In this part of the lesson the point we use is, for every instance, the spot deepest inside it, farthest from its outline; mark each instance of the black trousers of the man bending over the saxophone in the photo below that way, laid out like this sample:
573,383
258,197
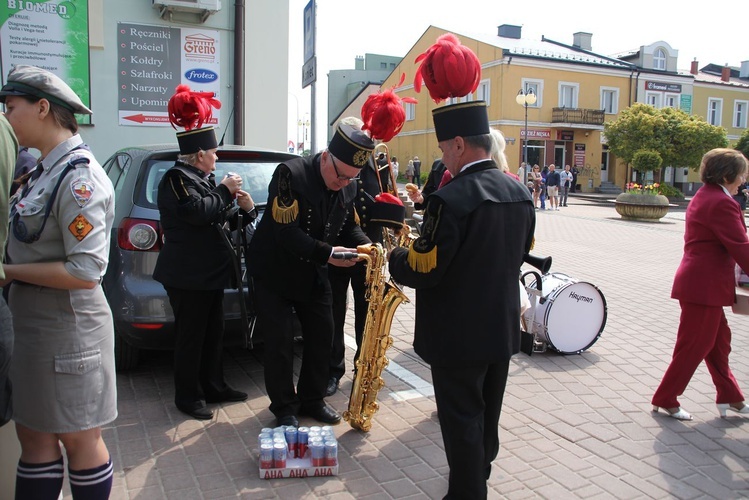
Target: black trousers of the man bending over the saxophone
275,319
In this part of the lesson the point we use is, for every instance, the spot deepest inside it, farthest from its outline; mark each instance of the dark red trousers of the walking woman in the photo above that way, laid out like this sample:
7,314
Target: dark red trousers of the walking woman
703,335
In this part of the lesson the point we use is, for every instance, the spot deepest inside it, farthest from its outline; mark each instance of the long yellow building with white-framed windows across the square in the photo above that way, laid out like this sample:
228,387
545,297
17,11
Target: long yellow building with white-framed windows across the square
577,91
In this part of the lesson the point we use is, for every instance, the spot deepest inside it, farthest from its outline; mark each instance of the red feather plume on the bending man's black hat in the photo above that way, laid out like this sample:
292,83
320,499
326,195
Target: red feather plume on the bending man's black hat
383,113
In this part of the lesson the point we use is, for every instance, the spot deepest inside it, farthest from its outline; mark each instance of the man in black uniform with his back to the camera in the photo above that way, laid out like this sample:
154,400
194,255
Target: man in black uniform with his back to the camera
465,269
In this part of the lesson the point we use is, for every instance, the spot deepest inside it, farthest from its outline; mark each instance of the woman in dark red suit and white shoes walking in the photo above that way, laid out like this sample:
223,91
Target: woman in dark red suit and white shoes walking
714,241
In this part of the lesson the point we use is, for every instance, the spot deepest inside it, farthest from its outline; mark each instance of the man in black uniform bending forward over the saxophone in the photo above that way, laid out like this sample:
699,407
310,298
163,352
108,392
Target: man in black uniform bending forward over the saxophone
309,202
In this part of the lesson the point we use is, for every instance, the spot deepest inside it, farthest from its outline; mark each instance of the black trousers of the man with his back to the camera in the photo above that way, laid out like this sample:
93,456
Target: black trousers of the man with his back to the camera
469,402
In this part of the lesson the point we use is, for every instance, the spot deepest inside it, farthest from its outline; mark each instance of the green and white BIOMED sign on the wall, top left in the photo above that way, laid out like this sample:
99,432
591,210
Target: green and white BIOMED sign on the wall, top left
51,35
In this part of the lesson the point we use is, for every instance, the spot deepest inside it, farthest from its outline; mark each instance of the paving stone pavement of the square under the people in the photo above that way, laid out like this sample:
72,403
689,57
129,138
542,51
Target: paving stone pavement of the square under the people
572,426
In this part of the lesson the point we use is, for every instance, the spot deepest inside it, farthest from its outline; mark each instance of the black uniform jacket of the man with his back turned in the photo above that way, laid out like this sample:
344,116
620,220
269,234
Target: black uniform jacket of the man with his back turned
465,268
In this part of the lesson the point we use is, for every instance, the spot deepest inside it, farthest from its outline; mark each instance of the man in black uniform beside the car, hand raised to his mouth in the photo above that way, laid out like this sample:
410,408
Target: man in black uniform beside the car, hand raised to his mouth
195,266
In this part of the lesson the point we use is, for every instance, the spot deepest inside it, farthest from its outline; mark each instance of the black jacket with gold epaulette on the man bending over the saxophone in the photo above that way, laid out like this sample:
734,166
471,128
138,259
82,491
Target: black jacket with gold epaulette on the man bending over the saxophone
294,239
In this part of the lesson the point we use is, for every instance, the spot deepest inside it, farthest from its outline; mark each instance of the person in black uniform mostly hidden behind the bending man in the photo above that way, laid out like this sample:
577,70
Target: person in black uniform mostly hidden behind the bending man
364,202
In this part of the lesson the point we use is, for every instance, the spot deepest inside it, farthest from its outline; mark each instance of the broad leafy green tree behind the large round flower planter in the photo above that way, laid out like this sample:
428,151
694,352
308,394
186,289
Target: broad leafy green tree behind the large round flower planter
679,138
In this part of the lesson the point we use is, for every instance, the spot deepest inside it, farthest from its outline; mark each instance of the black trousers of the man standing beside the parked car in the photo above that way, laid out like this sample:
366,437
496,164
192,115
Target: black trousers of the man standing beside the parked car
198,350
